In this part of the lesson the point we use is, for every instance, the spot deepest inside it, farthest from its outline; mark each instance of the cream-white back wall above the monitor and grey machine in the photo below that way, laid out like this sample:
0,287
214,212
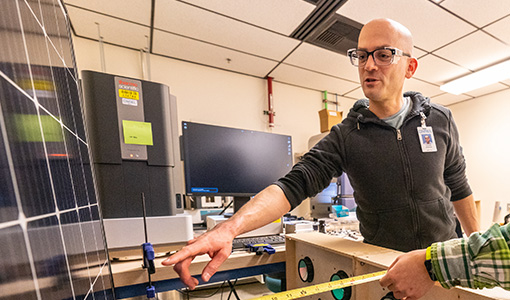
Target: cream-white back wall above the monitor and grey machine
212,96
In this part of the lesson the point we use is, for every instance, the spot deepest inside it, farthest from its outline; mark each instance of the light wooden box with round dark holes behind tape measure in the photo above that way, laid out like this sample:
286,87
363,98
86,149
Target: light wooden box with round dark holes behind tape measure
313,258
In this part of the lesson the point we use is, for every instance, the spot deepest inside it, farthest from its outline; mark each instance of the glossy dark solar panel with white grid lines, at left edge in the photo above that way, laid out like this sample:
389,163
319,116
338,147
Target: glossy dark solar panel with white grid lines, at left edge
51,242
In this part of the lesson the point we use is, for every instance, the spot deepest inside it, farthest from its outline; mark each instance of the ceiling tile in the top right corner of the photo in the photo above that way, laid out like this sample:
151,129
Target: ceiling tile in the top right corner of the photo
480,13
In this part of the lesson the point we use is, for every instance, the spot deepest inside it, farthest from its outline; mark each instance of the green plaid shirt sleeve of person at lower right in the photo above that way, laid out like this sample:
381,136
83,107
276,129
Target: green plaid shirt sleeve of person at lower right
480,261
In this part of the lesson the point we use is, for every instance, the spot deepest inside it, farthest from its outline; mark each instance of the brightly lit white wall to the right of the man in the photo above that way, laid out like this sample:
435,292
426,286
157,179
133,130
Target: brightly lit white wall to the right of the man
485,136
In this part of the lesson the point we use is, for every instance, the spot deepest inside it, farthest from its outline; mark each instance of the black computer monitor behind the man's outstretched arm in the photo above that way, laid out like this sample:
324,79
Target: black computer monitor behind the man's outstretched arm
224,161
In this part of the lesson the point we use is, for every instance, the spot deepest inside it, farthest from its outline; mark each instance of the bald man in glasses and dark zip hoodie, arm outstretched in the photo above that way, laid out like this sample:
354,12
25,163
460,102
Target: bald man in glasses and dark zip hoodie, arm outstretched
406,194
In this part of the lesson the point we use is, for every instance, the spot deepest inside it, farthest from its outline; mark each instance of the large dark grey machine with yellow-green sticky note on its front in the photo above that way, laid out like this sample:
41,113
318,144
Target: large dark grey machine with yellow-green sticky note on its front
132,127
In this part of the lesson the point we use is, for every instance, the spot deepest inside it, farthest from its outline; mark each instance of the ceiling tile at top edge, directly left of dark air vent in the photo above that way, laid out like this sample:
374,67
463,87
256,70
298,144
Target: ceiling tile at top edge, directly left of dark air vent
264,13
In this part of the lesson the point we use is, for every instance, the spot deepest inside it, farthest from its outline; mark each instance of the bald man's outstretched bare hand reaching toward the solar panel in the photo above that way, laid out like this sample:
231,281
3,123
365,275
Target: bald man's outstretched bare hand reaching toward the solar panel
217,243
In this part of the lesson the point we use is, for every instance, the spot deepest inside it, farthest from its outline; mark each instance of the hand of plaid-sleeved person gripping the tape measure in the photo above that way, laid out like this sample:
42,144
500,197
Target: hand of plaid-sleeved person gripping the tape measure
407,276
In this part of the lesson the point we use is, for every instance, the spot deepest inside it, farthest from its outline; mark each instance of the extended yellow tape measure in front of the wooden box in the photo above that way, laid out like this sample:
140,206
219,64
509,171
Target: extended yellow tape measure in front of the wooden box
323,287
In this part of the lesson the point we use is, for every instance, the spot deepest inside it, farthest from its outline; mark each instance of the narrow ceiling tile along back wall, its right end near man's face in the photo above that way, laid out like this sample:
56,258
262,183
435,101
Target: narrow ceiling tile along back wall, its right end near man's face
292,75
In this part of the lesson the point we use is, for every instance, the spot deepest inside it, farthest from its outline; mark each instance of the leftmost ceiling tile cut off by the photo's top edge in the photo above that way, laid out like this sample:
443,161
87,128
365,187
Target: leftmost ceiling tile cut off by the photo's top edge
138,11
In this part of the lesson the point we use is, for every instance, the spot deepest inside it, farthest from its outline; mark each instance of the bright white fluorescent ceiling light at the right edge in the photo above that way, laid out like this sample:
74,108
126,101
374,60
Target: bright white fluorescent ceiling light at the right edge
478,79
